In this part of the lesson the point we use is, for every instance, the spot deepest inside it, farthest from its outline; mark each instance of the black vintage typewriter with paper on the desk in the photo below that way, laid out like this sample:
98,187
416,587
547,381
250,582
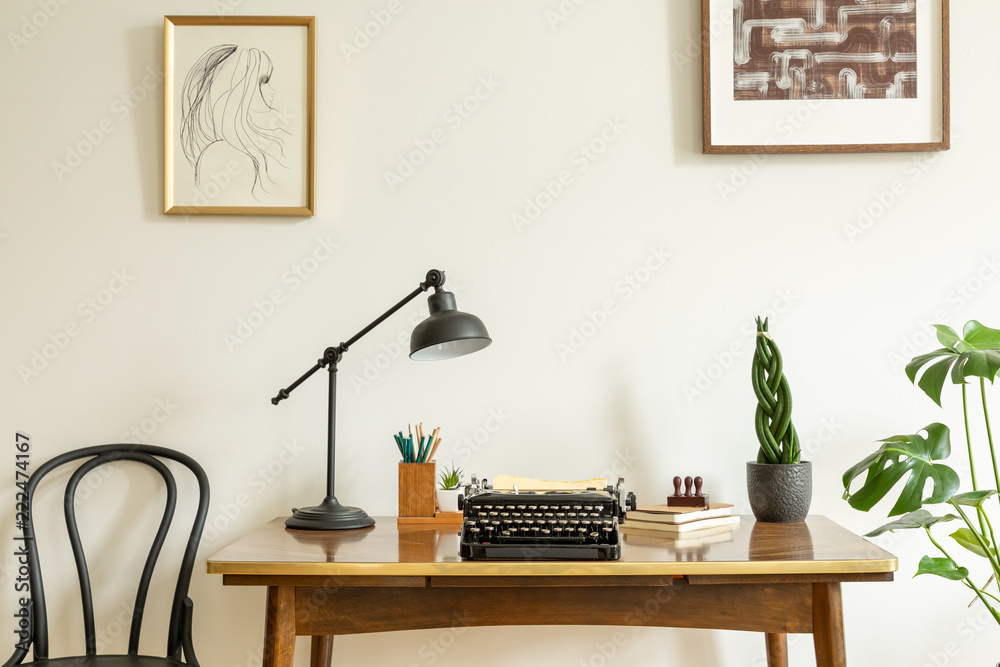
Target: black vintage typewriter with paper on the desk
542,525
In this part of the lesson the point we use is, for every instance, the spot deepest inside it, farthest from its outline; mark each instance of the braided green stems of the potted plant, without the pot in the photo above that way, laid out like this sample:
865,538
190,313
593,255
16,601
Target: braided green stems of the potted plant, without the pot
779,443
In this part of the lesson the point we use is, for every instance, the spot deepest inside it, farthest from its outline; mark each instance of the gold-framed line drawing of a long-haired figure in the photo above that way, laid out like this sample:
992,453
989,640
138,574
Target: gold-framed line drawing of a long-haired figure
239,103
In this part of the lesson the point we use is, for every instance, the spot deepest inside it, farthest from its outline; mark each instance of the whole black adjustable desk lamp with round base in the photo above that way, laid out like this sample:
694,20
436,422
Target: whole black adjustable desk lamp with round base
445,334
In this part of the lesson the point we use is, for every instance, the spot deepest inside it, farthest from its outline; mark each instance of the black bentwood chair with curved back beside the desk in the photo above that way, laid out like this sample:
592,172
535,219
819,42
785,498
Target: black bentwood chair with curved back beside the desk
36,634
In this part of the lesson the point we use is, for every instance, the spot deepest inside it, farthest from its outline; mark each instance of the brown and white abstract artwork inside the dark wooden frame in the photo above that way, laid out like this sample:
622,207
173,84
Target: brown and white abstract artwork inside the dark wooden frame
824,49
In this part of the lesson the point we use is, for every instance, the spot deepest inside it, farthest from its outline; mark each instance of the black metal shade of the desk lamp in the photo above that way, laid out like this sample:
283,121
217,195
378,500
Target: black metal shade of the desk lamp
448,332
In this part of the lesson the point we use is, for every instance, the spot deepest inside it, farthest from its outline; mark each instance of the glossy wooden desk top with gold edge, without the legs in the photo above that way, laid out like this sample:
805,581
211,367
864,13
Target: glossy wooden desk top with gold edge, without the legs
817,545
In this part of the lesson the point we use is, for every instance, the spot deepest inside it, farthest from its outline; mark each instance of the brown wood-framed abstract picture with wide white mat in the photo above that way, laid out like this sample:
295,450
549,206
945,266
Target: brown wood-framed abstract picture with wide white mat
828,103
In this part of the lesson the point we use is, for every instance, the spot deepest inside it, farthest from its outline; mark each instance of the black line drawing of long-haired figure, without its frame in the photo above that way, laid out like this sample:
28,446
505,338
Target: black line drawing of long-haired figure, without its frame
225,97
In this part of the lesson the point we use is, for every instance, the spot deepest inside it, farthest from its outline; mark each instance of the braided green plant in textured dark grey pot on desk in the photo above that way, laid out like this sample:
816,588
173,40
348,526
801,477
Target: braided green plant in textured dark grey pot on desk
779,483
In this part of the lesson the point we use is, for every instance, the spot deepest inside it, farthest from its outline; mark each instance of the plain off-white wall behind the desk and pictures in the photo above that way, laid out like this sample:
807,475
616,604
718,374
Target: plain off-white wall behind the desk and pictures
845,305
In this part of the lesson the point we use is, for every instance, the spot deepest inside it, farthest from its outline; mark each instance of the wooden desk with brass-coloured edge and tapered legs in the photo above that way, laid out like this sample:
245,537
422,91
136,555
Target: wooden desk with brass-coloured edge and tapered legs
770,578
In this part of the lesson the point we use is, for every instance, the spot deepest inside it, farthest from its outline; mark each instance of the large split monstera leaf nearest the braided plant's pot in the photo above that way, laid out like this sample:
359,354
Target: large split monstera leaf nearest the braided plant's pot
905,456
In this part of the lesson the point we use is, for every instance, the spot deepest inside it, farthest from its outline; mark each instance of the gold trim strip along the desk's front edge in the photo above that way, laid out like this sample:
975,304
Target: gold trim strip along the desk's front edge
552,568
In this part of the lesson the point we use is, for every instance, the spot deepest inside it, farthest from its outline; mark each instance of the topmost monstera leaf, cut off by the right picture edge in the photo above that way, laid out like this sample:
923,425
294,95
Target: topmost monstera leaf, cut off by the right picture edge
975,354
